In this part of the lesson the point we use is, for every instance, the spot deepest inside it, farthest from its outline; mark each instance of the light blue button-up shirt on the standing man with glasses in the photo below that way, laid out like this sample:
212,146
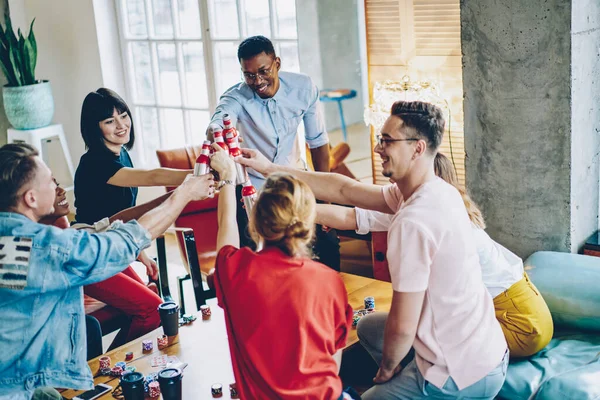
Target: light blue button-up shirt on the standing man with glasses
271,125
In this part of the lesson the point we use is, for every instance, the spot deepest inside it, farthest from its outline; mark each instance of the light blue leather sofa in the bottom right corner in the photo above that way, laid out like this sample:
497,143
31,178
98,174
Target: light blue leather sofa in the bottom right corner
569,367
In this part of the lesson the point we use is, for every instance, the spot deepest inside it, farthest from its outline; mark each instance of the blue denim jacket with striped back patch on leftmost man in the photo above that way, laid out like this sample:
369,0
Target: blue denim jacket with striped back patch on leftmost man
42,326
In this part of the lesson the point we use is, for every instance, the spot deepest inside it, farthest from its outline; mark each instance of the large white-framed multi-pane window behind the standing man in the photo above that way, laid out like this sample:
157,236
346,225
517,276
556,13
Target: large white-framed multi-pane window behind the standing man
181,55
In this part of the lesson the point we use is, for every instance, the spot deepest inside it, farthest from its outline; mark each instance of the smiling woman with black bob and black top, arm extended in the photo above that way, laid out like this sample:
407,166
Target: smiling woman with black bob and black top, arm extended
106,181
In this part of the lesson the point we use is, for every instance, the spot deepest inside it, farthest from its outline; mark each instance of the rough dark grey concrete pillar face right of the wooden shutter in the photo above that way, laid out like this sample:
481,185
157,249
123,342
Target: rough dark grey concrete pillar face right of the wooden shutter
517,104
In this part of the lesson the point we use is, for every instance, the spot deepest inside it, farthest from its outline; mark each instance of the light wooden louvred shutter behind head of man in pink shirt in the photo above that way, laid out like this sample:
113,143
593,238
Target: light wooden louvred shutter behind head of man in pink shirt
419,38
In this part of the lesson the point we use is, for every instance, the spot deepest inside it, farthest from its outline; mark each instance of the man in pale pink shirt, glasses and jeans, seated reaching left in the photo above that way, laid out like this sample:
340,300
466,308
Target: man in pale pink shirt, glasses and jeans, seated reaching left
440,304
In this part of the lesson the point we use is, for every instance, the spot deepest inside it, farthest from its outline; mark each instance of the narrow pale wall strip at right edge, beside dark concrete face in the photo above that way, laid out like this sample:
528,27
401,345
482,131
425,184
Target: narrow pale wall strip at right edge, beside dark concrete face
585,117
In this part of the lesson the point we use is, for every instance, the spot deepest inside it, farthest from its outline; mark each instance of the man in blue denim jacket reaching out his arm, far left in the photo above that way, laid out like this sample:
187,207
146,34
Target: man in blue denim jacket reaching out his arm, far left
43,270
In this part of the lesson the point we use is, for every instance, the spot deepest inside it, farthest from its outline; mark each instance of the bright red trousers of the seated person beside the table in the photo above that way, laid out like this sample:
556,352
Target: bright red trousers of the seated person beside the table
127,293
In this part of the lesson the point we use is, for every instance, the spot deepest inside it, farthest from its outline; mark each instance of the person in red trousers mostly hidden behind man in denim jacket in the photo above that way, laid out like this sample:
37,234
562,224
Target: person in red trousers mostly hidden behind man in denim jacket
125,291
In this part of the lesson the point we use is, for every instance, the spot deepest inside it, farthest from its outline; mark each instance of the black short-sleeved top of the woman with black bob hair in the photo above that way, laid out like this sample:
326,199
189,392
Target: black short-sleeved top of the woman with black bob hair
94,198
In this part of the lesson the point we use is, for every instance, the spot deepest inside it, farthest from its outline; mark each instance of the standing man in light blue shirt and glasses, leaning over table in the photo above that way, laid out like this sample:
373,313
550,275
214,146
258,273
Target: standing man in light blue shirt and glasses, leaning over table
267,108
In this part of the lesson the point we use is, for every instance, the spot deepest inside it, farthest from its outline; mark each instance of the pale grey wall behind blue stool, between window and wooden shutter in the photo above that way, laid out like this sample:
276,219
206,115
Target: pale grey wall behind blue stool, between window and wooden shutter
329,46
